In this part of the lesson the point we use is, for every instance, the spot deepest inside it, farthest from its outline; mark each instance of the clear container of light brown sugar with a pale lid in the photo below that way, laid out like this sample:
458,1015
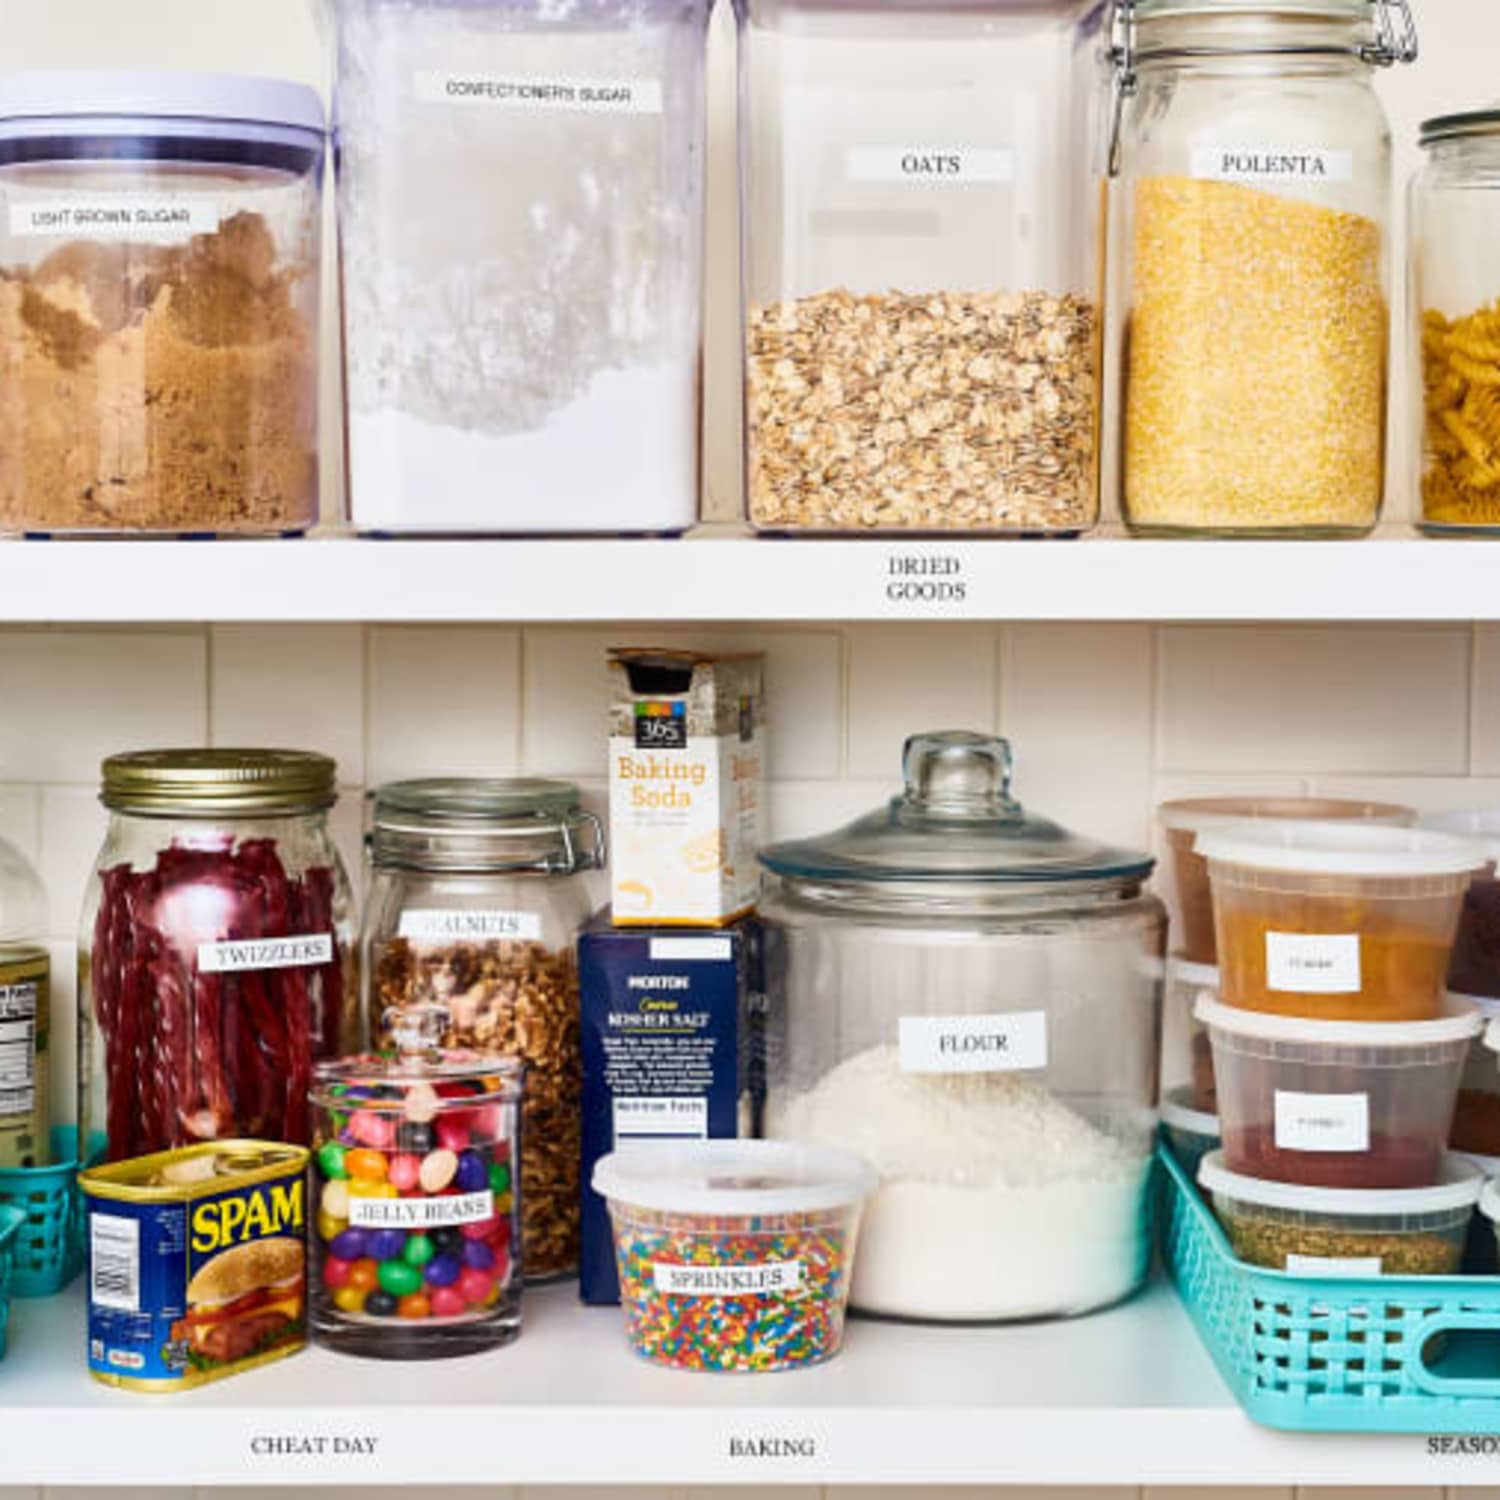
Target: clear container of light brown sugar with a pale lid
160,241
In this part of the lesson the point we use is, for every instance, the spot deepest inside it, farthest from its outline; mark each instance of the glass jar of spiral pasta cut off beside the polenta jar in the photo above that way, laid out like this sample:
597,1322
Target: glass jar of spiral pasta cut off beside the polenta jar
1456,302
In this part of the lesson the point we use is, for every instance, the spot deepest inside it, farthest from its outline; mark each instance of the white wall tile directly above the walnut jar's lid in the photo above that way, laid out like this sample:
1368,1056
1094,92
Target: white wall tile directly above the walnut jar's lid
443,703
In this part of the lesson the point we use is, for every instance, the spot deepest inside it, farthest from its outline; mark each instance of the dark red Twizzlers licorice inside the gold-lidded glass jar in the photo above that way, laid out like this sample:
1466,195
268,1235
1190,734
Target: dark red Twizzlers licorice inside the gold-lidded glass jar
218,980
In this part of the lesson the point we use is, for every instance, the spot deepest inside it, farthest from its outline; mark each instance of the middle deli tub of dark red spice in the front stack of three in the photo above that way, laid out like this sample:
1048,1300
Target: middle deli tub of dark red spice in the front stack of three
1339,1105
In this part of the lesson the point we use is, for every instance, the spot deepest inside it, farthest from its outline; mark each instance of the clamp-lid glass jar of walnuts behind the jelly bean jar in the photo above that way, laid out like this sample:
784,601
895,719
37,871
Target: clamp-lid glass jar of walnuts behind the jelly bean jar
476,899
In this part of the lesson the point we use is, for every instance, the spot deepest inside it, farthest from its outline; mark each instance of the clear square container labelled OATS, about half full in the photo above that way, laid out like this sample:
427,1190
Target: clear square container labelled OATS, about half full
923,265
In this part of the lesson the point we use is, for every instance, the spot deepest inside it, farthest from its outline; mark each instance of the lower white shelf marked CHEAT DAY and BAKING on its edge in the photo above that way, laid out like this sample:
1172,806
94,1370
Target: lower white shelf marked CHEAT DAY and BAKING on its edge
1124,1397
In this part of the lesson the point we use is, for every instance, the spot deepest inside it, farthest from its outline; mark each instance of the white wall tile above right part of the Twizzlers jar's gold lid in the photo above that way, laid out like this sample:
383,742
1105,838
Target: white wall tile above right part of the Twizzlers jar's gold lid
295,686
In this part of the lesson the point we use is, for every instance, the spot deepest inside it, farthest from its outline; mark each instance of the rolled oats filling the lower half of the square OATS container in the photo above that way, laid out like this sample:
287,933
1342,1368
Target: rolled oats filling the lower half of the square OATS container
931,412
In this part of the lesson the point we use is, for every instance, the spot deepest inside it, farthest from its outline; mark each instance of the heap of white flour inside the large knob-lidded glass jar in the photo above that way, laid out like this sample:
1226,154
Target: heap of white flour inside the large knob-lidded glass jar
998,1201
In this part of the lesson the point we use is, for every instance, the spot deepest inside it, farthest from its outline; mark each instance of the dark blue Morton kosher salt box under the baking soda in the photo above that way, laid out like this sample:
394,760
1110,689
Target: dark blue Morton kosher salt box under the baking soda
674,1049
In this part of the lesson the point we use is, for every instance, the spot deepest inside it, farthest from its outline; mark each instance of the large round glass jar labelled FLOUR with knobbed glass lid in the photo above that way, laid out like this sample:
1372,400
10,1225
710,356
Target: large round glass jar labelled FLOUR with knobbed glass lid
973,1003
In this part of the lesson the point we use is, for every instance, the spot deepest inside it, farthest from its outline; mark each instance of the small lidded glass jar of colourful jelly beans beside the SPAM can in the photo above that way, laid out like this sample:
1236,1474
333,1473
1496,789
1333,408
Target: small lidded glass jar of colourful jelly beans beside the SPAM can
418,1201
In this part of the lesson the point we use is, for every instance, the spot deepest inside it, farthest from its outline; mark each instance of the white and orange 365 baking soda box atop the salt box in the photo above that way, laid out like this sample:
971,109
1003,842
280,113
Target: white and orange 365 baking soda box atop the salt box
686,785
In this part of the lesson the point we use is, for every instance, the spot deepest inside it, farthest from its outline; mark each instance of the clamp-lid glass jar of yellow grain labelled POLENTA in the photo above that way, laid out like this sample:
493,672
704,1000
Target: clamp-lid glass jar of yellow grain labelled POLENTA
1256,181
